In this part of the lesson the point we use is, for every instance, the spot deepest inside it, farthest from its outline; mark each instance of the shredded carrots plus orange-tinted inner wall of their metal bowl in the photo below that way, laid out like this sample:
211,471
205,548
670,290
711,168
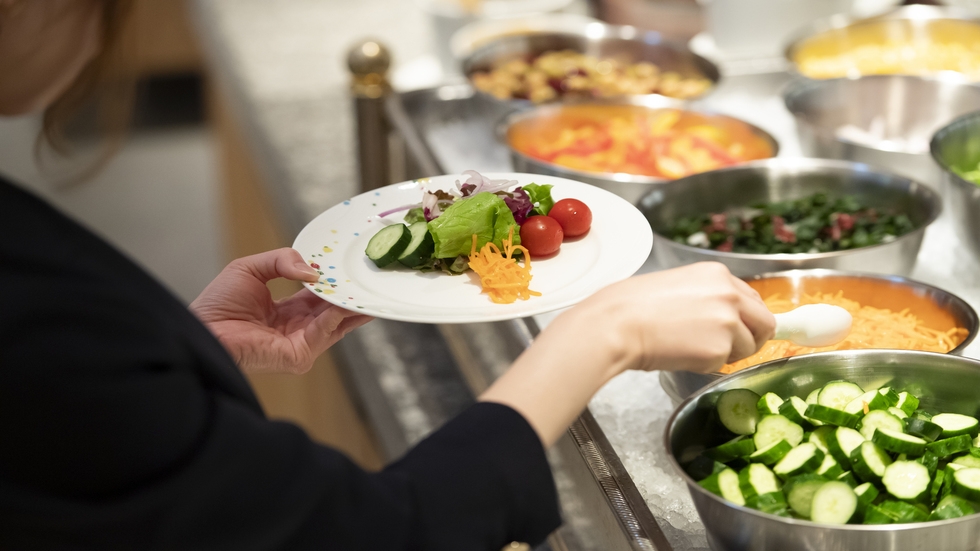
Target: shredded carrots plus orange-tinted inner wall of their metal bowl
886,315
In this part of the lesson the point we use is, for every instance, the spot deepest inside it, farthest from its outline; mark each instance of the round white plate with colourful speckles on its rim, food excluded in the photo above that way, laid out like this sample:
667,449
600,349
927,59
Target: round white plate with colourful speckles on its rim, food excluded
617,245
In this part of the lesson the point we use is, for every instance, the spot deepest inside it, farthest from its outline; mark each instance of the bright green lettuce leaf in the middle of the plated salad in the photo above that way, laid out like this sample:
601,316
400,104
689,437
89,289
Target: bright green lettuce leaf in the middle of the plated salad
484,214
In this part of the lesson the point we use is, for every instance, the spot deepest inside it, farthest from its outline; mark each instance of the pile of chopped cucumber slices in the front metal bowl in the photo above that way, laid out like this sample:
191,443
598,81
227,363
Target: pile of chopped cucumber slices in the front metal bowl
844,455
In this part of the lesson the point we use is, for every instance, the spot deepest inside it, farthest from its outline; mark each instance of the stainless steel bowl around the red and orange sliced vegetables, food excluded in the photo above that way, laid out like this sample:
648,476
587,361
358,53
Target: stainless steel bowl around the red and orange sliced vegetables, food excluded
628,186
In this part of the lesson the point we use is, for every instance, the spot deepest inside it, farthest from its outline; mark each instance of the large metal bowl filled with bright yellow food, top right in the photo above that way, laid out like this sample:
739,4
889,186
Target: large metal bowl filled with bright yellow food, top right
916,24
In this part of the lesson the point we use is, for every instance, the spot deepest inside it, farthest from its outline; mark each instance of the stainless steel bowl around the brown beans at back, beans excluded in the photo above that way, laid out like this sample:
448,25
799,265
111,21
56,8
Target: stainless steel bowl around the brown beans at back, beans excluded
599,40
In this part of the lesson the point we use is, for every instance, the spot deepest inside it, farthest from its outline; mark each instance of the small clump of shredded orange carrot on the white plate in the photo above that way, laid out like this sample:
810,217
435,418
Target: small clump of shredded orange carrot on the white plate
501,275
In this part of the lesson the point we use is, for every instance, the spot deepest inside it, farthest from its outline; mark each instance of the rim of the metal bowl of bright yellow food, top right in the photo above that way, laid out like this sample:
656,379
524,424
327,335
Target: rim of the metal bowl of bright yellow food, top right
912,12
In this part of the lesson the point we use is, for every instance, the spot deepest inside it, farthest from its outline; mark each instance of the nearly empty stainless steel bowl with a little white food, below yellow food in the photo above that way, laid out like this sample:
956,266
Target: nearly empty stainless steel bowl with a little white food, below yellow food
899,114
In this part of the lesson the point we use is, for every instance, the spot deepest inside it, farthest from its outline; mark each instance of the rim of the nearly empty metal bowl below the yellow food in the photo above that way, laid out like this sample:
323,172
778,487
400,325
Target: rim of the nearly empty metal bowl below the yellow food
797,88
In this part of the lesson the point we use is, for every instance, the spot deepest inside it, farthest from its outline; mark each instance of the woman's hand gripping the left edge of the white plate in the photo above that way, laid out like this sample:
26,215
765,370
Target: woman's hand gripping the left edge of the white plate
265,335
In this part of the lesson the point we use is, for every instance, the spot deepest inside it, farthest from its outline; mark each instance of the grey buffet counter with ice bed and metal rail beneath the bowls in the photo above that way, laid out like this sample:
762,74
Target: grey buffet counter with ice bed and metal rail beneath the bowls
280,65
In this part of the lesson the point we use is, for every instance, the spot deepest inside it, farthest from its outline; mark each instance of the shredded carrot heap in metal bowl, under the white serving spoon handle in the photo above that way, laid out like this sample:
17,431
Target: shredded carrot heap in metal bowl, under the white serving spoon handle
871,328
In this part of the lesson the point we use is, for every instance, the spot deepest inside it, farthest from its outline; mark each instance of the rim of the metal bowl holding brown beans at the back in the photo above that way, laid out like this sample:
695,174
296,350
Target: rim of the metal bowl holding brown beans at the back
618,32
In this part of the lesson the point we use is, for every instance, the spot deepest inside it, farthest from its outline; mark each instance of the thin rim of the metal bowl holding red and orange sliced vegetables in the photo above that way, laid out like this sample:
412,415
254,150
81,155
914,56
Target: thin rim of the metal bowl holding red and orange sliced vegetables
641,101
